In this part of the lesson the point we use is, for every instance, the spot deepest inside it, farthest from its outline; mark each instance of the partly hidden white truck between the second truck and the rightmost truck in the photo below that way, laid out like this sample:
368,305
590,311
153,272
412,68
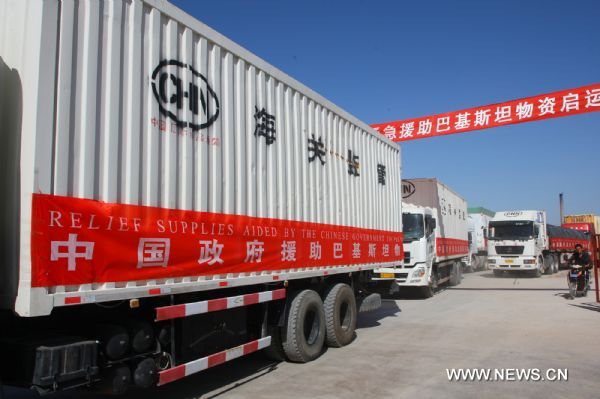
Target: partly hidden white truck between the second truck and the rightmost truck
479,219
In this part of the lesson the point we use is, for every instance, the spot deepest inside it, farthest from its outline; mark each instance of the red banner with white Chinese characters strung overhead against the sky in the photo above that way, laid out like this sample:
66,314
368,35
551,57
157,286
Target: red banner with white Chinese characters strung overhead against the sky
553,105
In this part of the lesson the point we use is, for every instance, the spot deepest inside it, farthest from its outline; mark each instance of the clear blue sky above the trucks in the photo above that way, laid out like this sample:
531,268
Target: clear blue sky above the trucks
390,60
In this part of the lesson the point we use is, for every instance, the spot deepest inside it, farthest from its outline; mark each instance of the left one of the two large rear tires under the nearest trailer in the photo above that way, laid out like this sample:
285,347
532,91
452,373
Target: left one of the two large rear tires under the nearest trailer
304,328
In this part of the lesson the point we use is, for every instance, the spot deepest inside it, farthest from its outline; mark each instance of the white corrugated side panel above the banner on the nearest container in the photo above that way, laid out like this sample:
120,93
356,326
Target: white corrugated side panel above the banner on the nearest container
106,146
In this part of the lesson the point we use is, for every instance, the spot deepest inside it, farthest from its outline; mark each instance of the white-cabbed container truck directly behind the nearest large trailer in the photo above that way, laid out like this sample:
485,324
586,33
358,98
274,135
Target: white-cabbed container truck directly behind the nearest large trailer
434,219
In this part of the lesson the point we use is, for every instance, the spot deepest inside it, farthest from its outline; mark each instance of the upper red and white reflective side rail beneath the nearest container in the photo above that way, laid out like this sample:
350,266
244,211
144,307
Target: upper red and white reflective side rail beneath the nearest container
213,305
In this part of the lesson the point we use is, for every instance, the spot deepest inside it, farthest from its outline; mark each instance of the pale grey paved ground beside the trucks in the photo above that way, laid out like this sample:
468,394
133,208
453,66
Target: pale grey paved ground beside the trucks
403,349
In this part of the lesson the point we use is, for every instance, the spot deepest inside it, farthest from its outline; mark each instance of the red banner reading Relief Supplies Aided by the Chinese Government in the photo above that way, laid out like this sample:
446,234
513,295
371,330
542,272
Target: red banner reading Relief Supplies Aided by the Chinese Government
80,241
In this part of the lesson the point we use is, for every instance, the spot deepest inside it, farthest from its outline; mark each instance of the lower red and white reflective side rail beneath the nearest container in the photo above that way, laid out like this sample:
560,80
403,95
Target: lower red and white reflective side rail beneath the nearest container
195,366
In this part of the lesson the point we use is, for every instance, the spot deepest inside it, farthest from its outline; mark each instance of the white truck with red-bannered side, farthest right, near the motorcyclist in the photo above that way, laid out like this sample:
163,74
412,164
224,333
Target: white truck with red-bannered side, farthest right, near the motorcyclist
524,241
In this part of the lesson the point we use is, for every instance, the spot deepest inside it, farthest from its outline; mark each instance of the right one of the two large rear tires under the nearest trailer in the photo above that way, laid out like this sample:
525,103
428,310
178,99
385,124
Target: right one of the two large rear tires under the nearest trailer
340,315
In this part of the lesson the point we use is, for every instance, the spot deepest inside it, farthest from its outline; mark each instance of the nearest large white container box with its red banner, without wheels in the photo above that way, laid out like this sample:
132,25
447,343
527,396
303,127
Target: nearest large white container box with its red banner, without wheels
129,118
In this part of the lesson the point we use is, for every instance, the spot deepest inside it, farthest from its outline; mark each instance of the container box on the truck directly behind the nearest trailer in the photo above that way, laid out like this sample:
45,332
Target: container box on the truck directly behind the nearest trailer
452,223
